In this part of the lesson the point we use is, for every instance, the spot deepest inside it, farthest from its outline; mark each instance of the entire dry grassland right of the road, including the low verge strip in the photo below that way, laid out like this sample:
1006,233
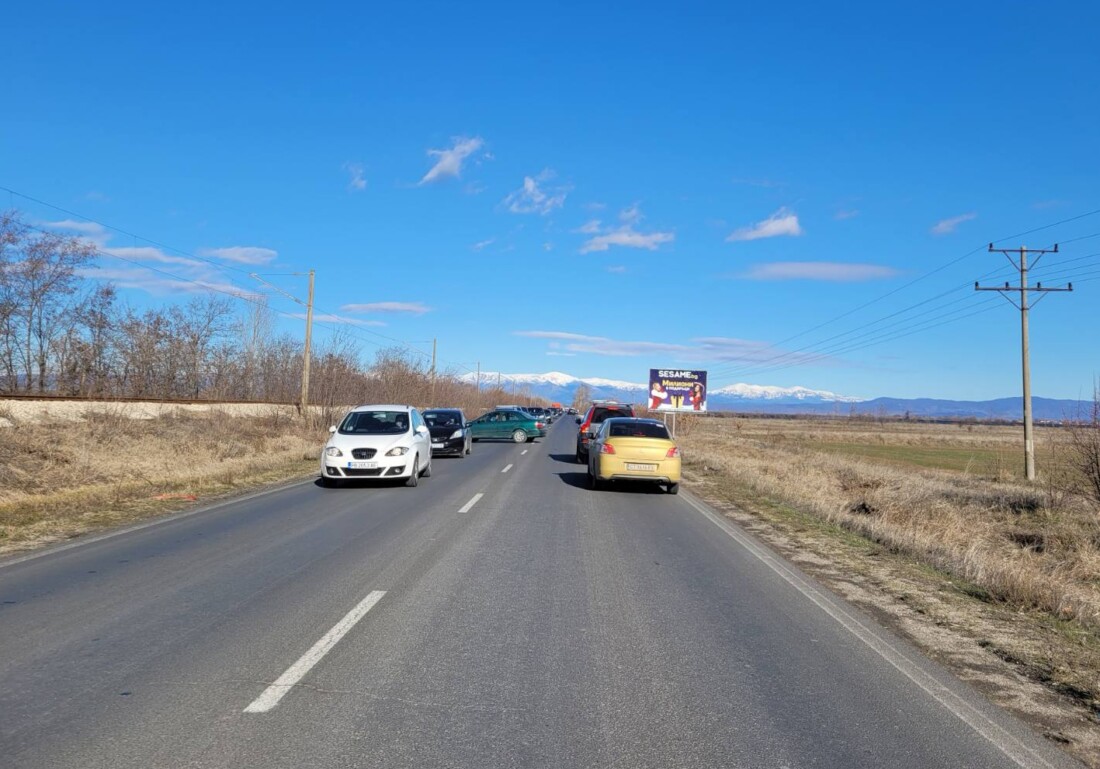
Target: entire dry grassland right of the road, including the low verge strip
933,520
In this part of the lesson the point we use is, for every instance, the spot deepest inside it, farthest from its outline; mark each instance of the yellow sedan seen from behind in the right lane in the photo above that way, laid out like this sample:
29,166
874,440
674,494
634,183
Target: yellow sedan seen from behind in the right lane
629,449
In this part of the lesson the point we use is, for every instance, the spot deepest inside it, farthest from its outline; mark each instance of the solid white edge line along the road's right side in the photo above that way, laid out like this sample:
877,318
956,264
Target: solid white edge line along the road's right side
1002,739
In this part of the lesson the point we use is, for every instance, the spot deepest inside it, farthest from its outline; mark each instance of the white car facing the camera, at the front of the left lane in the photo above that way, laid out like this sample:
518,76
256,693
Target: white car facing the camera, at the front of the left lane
384,442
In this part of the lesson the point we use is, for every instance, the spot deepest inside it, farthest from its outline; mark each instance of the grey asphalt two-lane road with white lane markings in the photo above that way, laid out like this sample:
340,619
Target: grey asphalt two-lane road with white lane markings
545,625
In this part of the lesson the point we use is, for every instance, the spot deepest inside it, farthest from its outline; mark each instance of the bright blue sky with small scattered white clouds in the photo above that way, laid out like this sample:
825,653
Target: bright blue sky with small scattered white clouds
762,192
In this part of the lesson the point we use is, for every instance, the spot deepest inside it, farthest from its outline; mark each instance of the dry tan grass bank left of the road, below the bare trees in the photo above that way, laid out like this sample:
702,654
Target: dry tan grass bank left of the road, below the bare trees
60,479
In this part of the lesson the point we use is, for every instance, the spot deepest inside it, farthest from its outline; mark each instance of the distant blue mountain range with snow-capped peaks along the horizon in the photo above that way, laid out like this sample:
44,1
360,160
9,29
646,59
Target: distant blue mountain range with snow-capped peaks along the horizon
557,387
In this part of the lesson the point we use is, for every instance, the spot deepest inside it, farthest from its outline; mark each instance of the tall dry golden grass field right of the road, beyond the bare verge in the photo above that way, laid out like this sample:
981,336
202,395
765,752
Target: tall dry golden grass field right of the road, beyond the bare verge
948,497
